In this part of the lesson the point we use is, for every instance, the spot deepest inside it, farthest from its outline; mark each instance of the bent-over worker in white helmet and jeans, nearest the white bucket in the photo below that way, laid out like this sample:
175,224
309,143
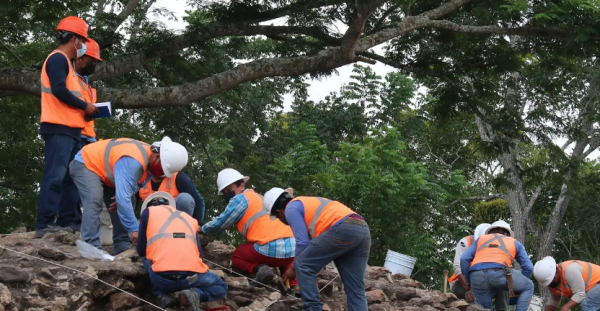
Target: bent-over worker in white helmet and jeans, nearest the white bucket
325,231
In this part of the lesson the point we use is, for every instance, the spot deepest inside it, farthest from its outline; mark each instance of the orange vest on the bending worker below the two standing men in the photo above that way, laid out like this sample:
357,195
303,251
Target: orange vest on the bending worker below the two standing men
100,157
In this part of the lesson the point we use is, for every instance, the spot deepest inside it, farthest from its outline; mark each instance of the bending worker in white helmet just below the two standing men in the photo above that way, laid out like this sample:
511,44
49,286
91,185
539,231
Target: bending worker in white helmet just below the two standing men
114,169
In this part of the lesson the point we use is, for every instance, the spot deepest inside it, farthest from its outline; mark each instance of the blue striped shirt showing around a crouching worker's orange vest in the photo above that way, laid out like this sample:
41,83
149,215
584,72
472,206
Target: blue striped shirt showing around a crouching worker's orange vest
233,213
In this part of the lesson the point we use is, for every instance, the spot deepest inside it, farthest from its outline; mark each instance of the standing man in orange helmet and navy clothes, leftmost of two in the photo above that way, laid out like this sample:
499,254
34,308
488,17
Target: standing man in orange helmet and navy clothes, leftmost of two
62,118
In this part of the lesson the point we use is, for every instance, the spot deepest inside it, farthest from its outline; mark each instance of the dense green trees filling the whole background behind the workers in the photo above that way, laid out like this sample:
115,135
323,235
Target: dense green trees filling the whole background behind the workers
491,114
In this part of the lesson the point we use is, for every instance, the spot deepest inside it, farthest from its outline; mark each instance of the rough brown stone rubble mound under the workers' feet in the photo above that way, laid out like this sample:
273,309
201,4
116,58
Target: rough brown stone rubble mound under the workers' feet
33,285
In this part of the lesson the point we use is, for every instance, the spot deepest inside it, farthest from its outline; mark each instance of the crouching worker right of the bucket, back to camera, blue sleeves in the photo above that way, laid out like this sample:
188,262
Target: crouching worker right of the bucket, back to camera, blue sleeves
488,267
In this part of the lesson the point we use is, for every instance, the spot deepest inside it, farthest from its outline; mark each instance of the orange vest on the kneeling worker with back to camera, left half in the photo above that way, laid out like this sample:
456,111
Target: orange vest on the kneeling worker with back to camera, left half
171,241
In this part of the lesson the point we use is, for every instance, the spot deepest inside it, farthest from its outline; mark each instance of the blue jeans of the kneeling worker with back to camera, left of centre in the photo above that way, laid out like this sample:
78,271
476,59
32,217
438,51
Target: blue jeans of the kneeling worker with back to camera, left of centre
209,286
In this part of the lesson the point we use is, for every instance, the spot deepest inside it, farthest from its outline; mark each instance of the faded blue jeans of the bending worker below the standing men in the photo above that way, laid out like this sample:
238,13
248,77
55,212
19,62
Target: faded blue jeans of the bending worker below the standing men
95,196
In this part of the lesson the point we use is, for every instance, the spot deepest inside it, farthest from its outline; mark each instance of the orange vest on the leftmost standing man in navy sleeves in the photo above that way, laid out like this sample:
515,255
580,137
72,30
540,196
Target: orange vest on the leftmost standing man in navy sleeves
53,110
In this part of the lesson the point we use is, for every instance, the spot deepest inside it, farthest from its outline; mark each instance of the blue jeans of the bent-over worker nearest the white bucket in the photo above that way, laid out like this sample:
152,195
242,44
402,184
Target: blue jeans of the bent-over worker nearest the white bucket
347,245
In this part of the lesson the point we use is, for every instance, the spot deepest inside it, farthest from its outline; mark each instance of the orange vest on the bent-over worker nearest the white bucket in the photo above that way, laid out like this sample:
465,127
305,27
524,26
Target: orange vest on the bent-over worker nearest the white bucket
321,213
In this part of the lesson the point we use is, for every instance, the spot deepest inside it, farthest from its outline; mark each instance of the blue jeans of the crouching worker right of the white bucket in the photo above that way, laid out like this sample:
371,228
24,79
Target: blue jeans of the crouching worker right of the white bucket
486,283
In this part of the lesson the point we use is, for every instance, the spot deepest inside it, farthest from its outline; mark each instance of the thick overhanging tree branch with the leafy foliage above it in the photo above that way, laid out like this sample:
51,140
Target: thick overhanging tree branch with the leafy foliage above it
280,39
